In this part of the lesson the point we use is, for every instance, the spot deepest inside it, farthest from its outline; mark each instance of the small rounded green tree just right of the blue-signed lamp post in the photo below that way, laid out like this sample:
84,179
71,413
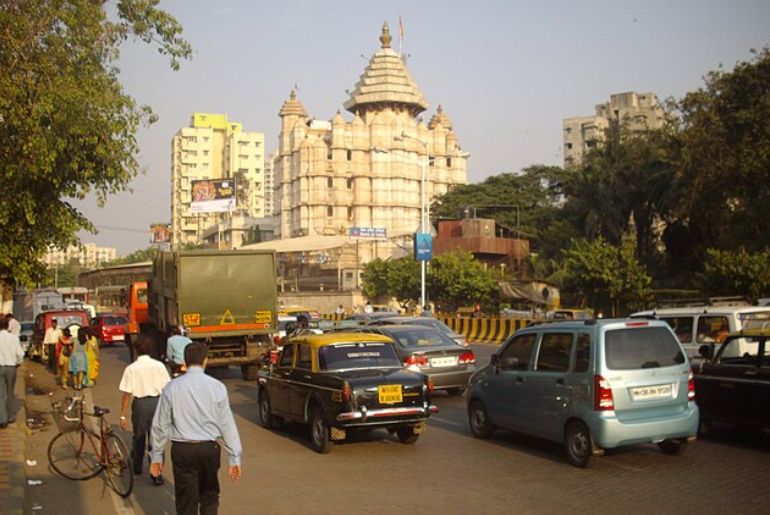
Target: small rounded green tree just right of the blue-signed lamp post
458,279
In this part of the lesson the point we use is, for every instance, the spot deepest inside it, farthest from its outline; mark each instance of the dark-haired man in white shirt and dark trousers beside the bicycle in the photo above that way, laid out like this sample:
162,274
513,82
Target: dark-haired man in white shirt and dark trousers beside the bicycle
143,380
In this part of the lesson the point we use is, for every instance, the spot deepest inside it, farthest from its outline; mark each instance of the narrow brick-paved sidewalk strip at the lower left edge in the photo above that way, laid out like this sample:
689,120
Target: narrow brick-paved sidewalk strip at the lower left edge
12,450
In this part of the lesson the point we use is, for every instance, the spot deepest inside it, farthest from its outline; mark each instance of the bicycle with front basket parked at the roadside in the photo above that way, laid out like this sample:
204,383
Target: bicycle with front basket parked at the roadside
82,453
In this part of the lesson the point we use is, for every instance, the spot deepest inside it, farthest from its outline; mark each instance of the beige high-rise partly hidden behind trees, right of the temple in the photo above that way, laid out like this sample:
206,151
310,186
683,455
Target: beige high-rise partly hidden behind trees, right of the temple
639,111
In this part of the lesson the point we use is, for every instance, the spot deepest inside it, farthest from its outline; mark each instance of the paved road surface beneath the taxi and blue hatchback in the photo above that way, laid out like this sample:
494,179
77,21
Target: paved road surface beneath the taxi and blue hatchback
446,471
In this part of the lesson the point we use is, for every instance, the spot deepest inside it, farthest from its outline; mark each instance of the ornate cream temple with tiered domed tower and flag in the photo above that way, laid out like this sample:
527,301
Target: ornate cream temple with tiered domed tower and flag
368,172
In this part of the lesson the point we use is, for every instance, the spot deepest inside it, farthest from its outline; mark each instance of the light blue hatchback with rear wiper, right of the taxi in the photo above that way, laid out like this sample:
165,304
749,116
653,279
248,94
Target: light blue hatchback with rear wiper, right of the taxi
592,385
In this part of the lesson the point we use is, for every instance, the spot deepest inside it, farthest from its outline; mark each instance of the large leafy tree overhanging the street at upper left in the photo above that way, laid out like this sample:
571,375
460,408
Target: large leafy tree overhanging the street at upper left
67,129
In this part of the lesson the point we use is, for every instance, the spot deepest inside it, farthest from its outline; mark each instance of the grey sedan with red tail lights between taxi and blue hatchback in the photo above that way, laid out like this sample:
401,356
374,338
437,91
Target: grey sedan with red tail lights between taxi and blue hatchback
433,353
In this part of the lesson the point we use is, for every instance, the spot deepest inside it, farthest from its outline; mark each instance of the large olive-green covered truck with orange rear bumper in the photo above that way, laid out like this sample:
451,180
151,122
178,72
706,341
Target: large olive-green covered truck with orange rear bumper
223,298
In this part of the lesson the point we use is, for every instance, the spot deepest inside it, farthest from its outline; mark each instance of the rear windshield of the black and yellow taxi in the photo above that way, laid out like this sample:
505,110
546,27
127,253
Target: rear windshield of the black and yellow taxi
345,356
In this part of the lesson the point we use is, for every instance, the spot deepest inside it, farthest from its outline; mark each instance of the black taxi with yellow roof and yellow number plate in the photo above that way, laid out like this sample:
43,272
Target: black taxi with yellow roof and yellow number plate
340,382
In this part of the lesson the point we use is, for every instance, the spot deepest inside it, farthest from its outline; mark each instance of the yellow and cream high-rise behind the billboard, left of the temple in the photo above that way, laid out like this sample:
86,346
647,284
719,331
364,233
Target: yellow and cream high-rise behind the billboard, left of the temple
213,147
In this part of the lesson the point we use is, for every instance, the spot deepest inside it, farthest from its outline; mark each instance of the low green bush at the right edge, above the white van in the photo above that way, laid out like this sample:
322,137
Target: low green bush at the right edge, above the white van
736,272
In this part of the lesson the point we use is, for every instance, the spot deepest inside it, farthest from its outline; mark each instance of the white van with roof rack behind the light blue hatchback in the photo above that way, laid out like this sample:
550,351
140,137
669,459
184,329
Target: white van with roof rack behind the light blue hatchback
696,326
